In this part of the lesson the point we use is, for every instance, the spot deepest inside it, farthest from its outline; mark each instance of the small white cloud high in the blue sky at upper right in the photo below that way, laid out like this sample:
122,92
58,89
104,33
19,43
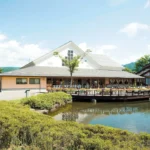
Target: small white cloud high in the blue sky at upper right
132,29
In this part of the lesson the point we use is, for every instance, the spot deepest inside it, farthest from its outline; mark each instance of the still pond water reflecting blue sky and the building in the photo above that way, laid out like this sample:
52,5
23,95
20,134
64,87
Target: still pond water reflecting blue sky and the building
132,116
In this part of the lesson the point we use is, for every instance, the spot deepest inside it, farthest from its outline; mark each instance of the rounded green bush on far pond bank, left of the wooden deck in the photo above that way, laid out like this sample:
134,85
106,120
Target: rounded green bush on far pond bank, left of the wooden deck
47,100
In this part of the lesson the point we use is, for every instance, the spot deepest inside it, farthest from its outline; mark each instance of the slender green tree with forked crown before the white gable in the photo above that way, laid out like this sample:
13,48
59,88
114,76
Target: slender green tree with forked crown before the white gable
72,64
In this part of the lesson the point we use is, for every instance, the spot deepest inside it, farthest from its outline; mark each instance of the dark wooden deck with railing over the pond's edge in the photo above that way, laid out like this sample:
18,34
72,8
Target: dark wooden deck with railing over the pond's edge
110,95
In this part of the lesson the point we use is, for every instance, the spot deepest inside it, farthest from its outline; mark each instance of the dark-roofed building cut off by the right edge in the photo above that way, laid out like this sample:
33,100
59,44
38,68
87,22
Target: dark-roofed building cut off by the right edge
145,72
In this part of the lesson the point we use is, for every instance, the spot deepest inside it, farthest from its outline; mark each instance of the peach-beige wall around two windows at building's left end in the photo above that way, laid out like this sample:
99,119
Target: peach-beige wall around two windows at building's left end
10,83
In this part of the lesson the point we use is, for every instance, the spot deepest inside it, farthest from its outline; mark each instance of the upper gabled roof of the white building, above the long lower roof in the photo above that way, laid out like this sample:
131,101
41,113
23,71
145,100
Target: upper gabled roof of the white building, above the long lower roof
99,61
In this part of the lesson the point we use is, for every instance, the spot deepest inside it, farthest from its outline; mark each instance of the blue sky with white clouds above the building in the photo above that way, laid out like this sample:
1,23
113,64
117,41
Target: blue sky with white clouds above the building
31,28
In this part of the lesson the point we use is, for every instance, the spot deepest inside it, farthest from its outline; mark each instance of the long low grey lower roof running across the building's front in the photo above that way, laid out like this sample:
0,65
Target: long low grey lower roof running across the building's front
63,72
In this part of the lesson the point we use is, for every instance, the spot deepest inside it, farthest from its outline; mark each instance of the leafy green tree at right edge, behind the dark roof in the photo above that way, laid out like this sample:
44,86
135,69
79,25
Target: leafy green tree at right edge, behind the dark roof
140,63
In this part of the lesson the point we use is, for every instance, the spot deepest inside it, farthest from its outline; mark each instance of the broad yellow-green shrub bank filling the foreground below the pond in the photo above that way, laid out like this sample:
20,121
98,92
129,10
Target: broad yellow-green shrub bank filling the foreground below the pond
21,127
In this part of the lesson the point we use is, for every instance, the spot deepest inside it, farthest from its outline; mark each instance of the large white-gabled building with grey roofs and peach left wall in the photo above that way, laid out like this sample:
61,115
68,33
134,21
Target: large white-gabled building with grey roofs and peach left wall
48,71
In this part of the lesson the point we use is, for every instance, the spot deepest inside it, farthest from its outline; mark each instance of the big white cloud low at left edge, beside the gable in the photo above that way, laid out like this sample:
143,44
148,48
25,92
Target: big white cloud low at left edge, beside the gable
13,53
